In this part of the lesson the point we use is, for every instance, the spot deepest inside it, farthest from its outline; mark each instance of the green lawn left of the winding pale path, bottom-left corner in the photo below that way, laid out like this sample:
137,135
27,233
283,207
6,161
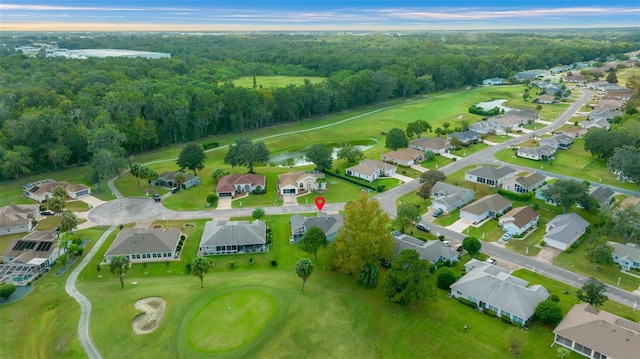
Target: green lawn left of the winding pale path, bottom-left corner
45,323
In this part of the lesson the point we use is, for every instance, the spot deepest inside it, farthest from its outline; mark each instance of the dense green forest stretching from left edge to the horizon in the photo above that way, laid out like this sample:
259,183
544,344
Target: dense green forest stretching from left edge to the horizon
55,112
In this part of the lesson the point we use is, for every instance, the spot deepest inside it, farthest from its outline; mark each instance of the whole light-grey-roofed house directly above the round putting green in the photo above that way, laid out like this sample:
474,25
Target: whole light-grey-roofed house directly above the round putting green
230,237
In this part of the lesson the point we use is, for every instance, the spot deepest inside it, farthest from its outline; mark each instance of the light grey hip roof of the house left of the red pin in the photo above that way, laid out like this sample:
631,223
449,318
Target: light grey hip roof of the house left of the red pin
234,233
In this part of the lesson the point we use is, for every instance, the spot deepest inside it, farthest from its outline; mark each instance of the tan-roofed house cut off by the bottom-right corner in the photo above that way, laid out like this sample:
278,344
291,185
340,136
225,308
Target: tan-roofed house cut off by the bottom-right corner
598,334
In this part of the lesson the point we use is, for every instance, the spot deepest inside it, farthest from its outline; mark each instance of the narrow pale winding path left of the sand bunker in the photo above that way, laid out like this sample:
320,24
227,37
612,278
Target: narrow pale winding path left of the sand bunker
85,304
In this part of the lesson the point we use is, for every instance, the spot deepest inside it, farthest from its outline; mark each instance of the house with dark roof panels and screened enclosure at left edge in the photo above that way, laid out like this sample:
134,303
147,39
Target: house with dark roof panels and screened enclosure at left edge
25,259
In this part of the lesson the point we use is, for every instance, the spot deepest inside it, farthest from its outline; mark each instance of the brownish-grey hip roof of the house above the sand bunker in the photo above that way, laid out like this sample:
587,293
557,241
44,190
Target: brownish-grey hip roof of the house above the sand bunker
142,240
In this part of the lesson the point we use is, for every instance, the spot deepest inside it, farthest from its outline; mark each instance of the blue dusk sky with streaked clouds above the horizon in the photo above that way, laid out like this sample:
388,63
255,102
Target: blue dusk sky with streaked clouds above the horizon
279,15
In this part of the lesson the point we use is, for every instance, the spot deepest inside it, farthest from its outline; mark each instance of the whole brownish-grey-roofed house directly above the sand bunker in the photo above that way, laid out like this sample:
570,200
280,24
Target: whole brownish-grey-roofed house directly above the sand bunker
142,245
